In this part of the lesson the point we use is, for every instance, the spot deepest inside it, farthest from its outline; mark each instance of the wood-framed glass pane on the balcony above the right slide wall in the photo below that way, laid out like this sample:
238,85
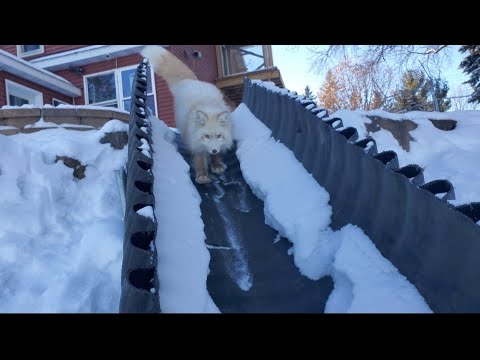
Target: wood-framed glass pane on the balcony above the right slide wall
238,59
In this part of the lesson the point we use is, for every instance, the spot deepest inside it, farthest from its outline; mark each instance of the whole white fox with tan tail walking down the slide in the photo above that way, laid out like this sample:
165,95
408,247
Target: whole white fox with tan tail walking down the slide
201,114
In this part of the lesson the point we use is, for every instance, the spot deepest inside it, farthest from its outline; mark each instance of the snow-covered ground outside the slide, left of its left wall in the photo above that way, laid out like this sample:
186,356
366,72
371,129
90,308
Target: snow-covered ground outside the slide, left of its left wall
60,237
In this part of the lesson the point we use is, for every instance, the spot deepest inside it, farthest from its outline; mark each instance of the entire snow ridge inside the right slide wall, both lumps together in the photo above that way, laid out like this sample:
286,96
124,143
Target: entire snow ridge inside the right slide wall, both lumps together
297,207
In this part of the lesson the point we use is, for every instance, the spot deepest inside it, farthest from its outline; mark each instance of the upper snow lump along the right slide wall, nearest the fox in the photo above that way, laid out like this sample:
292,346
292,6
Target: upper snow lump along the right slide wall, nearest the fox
302,213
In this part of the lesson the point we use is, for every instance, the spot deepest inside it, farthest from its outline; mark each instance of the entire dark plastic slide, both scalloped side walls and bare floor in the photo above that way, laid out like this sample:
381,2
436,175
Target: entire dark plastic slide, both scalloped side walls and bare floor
431,242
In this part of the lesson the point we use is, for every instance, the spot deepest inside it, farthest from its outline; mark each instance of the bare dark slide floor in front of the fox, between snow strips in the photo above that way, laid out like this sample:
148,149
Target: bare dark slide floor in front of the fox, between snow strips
248,271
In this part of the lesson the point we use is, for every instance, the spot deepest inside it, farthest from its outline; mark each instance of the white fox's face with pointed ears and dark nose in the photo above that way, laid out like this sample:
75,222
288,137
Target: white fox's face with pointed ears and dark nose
214,131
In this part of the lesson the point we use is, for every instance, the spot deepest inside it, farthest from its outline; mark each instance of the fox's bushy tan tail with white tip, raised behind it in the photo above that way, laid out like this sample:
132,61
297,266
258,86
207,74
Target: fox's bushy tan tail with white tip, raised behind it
167,65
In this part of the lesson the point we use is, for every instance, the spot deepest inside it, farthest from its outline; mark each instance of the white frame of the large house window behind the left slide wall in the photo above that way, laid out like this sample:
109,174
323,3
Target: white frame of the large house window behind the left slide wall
119,87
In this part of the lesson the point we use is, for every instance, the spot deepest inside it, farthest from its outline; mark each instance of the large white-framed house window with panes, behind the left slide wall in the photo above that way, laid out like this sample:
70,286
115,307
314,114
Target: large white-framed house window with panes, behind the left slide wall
114,89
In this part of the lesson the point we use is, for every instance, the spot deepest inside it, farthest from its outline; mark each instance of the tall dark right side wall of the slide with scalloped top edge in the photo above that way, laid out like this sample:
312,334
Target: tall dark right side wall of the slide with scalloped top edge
433,243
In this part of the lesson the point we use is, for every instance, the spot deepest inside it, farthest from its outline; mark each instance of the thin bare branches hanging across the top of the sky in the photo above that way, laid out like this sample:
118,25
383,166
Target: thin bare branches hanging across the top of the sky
397,56
